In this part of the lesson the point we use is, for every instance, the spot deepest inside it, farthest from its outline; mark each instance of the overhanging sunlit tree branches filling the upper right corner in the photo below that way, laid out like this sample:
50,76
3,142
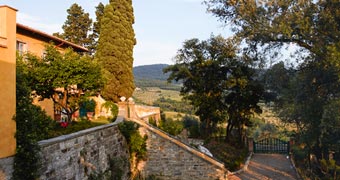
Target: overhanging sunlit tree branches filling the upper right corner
310,25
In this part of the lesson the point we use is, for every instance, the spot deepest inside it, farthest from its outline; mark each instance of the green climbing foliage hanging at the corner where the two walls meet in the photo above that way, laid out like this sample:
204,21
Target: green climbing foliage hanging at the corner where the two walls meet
136,143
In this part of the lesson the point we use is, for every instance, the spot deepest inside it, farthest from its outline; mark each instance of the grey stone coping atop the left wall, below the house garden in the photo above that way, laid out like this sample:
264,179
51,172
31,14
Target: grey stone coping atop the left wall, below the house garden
65,137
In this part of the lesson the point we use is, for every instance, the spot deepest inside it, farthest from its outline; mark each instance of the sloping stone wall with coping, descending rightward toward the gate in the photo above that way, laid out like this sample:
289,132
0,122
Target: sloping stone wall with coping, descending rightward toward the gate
168,158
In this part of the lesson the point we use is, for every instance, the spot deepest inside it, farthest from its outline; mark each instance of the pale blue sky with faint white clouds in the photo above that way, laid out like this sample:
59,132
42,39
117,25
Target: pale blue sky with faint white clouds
161,26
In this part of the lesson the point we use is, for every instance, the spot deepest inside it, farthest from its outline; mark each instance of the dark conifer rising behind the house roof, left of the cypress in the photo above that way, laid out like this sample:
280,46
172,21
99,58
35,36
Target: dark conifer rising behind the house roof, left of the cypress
77,26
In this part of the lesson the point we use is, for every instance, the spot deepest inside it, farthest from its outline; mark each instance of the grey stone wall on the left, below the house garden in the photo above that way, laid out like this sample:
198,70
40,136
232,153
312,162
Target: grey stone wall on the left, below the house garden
77,155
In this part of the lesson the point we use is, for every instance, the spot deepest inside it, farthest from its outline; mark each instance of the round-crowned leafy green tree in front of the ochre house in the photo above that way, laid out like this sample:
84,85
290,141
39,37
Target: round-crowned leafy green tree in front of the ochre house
63,78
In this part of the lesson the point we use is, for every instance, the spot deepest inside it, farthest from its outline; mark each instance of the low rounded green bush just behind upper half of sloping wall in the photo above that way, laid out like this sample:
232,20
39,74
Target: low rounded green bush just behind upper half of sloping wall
171,126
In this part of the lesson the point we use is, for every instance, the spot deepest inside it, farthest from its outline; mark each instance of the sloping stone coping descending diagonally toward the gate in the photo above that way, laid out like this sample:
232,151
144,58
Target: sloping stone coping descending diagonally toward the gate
186,147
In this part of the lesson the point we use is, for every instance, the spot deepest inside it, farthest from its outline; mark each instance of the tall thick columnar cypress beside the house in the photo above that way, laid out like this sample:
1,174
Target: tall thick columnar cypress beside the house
115,49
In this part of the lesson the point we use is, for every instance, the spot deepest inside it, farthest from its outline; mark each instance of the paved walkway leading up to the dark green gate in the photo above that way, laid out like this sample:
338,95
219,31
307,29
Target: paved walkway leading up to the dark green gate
266,167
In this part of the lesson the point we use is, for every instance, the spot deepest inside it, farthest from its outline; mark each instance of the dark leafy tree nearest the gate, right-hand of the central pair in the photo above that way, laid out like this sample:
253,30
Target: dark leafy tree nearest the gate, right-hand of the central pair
242,99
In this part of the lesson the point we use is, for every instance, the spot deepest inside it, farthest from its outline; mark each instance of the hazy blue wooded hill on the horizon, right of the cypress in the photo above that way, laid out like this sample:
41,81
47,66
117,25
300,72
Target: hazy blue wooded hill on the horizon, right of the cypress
154,71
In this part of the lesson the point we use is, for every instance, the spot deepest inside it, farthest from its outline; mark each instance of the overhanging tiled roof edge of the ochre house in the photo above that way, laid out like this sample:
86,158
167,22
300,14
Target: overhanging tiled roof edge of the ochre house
22,29
